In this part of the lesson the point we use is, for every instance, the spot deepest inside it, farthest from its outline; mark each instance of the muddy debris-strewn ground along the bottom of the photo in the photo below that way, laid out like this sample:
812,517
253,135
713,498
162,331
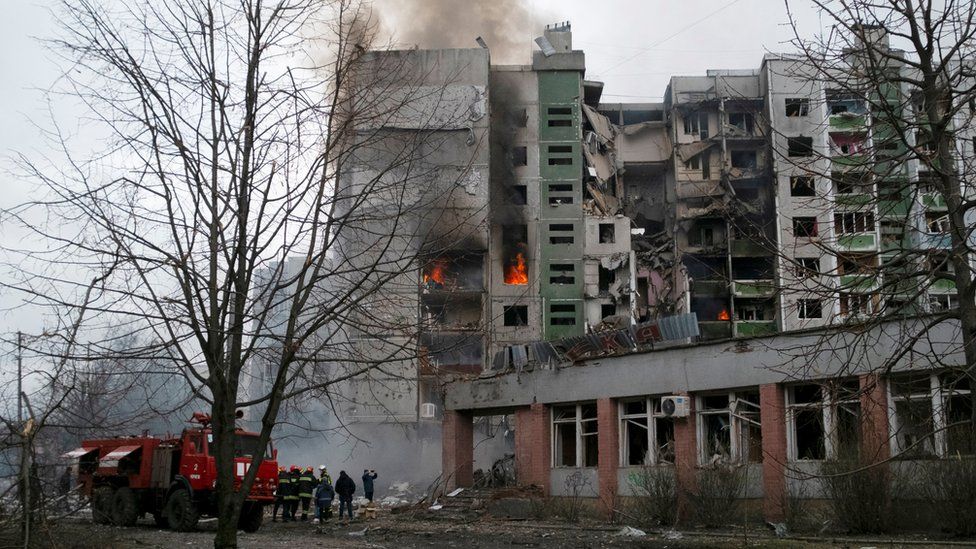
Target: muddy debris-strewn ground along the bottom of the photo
408,532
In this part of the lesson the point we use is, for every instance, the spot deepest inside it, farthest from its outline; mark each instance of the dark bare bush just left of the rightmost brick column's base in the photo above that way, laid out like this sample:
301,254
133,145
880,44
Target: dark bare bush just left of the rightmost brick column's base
858,494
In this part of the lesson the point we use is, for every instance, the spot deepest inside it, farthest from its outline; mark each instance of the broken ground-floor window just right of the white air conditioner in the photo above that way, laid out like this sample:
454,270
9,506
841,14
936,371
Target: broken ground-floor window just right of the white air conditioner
729,429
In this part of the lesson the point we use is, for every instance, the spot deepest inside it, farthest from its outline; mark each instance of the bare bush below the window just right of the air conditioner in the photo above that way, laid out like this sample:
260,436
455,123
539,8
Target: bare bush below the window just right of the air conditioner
716,498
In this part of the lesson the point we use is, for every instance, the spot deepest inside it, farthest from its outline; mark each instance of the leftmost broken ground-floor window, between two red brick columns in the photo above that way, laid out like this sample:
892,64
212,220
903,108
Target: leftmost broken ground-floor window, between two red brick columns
574,436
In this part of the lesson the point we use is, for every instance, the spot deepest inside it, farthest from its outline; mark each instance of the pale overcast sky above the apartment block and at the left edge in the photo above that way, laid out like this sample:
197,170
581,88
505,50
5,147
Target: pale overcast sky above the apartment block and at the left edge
634,46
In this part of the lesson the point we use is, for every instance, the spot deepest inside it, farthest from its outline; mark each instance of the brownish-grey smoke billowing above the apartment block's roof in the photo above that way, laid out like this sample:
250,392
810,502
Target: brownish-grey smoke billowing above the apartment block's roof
506,25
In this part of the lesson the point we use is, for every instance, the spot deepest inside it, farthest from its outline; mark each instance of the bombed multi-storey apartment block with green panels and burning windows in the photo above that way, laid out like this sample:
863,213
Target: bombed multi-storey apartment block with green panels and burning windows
551,227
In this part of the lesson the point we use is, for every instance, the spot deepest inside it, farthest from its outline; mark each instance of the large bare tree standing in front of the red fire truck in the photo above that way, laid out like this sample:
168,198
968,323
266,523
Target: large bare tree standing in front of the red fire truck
243,137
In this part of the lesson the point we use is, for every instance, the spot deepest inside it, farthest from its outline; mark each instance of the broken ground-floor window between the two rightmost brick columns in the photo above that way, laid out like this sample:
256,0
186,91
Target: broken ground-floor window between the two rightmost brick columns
823,421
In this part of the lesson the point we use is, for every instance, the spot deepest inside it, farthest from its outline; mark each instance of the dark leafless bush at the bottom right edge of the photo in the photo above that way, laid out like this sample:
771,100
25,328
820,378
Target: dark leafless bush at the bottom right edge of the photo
949,487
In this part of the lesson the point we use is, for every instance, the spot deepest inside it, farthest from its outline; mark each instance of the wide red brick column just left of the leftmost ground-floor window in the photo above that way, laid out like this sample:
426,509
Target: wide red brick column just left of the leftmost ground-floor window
532,446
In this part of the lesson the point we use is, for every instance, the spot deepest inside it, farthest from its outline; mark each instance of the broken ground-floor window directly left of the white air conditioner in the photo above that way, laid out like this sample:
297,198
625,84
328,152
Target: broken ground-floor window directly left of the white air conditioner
648,434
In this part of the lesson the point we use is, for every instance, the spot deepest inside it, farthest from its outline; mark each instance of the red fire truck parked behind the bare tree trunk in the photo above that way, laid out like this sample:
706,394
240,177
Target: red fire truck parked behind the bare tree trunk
172,478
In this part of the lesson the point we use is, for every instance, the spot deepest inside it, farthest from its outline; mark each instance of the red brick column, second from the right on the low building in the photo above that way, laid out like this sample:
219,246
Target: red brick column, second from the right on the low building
772,416
